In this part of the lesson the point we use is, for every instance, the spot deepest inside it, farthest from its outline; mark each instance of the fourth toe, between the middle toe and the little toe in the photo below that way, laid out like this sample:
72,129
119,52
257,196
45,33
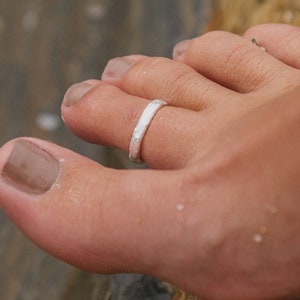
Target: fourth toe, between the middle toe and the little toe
235,62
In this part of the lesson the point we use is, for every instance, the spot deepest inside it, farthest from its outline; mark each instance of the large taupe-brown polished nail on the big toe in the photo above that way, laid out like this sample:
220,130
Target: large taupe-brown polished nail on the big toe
30,168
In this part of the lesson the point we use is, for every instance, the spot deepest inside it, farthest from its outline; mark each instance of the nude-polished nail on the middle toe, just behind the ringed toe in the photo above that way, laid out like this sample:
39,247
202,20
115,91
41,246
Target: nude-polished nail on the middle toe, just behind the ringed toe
116,68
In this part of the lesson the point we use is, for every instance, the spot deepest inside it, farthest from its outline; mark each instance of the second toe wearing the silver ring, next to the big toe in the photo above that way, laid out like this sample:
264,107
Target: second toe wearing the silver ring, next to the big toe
107,115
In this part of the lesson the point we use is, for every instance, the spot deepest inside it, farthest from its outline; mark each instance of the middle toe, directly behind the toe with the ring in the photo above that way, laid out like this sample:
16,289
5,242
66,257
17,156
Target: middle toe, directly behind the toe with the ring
158,77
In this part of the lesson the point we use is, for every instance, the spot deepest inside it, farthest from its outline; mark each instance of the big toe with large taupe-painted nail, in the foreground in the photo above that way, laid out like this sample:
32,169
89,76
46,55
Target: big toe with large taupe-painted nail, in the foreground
87,215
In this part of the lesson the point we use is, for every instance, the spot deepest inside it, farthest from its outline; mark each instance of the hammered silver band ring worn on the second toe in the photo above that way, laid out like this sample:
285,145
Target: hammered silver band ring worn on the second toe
141,128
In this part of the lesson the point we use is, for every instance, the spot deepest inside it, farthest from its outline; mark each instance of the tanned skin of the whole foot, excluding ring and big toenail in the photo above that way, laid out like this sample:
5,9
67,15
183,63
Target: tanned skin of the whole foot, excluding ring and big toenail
218,213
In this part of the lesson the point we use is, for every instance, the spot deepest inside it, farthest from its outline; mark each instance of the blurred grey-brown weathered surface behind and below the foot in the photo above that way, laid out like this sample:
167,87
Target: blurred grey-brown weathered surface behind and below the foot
45,46
